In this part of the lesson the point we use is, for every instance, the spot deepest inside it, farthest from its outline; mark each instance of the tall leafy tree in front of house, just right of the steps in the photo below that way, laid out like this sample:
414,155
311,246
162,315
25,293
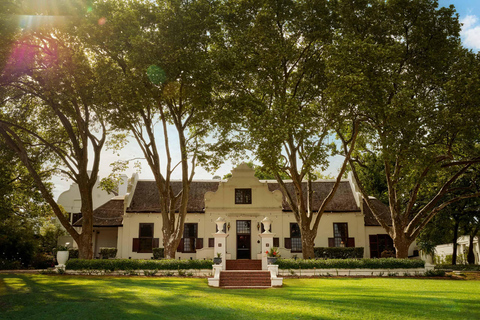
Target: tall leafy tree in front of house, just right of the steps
274,66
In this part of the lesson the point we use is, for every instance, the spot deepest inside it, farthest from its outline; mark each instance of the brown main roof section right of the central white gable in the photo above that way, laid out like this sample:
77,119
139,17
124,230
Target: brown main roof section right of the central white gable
343,200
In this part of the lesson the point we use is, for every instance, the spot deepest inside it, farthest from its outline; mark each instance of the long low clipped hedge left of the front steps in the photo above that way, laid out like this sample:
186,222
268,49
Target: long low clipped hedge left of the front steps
132,264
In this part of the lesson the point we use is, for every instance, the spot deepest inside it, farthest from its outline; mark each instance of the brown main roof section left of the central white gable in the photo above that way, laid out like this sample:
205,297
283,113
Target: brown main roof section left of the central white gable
146,197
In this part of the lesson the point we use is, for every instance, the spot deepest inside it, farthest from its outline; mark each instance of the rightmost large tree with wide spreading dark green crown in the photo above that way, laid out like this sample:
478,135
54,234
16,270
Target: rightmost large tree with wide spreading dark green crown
402,64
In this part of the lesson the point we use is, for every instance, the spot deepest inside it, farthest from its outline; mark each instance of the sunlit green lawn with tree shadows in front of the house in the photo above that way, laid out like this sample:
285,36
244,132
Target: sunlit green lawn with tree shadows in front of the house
75,297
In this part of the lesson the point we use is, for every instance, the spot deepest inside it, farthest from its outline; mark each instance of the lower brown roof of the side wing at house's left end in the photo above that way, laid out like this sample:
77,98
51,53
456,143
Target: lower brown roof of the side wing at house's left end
107,215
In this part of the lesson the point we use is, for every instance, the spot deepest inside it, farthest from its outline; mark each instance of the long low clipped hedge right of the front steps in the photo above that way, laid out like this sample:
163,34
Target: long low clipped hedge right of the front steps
382,263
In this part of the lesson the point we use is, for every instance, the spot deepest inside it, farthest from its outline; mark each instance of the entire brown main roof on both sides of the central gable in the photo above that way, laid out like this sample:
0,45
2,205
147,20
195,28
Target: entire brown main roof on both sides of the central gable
146,196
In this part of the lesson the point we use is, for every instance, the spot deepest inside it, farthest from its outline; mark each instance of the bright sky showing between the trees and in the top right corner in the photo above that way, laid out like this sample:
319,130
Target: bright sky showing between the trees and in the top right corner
469,15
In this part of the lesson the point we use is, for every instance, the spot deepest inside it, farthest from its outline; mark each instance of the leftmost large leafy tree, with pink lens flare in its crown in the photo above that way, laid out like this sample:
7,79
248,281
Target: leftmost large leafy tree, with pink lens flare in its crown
52,106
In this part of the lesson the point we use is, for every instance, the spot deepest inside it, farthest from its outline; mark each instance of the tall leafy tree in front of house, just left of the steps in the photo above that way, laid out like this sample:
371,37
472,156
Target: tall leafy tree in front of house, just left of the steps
158,66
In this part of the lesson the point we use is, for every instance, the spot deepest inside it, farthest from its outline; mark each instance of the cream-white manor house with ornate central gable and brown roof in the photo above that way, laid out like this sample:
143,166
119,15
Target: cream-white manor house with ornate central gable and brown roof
131,222
